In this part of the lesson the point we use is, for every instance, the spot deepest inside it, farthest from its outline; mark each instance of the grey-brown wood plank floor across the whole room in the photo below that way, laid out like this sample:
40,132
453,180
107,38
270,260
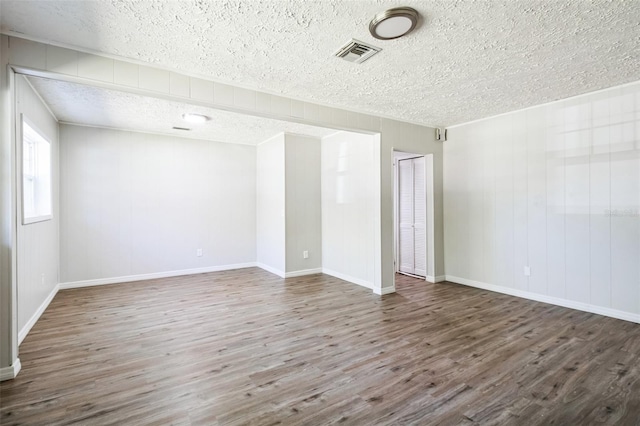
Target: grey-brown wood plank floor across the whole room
246,347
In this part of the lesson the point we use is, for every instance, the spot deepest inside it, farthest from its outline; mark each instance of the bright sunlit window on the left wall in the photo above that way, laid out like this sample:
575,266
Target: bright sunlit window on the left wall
36,175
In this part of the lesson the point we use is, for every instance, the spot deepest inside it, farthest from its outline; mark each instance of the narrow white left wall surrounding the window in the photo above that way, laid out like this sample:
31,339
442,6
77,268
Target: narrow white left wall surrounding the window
37,243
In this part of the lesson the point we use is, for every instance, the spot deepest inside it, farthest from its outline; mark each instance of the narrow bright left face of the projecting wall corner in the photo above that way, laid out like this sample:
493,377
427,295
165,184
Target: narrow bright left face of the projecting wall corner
270,205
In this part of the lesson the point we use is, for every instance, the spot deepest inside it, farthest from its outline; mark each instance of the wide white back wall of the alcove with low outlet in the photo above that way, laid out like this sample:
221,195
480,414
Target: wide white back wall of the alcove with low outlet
134,204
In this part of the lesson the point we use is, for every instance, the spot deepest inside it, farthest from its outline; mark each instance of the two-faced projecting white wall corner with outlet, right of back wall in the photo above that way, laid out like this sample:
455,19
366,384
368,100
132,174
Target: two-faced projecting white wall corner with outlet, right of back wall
288,215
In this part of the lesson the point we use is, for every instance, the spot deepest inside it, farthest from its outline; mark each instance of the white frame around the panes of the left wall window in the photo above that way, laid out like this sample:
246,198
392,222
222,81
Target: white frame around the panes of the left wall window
35,176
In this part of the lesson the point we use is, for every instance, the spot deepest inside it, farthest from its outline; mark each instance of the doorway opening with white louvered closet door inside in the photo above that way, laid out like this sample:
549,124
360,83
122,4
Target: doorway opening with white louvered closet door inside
413,215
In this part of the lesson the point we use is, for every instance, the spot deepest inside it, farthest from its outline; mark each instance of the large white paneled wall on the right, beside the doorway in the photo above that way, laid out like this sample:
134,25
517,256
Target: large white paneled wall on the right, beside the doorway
555,188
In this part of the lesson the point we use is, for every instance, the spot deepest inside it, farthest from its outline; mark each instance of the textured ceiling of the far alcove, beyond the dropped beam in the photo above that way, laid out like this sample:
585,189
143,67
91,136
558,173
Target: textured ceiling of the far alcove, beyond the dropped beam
77,103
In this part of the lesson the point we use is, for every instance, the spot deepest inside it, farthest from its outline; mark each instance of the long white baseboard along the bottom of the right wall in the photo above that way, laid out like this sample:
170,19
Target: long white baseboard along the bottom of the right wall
594,309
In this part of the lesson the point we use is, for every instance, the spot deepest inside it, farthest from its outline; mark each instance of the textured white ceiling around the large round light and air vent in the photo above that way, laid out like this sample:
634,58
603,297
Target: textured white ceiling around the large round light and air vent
467,59
